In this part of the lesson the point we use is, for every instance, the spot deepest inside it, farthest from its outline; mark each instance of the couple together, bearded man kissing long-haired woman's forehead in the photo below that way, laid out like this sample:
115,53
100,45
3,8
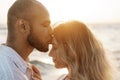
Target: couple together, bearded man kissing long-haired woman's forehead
74,46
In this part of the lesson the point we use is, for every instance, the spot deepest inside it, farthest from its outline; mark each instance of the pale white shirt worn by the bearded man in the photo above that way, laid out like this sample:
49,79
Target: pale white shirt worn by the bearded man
12,66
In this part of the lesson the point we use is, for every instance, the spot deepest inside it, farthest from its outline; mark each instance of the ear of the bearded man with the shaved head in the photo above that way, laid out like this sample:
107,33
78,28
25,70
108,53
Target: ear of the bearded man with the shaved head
23,26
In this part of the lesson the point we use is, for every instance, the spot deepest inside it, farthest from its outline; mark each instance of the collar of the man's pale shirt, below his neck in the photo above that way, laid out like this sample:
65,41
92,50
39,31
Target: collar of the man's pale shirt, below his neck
16,58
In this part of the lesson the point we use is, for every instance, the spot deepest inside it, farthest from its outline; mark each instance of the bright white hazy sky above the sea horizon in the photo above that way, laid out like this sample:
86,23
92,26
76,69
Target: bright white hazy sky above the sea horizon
90,11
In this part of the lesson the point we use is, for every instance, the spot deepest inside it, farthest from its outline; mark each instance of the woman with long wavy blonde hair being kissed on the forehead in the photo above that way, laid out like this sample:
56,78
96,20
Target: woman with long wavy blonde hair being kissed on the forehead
76,48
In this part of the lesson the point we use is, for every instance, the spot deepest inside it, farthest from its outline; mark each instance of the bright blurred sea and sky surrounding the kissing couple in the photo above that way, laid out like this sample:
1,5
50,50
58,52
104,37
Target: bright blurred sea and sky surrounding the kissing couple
103,17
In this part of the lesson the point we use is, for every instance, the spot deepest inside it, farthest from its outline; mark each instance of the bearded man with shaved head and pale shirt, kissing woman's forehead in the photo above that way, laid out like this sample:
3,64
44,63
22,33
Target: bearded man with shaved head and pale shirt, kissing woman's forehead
28,28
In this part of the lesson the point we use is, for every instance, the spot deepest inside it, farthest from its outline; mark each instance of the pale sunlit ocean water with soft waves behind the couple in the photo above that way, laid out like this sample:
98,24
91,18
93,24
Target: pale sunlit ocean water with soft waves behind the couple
108,34
